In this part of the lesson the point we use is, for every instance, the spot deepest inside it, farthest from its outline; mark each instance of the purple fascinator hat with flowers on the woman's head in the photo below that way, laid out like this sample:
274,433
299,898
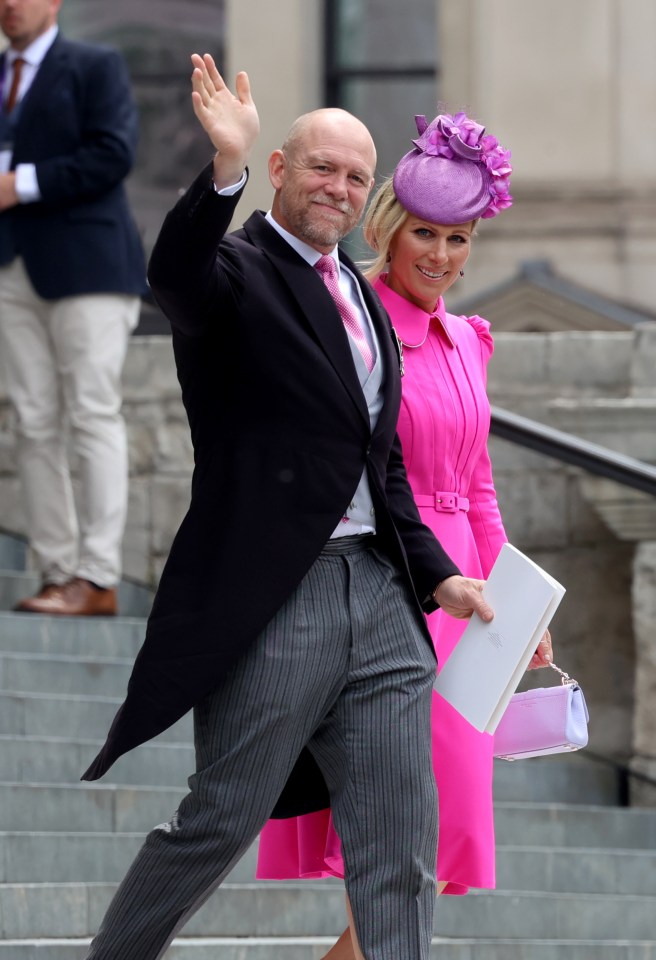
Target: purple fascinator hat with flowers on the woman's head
455,173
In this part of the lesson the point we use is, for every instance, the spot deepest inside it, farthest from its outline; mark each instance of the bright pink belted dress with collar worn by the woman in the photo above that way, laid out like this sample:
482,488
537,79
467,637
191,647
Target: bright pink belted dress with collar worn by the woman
443,426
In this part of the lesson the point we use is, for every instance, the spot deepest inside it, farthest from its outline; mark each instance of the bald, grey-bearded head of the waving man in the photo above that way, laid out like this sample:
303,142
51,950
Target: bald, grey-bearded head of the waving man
323,181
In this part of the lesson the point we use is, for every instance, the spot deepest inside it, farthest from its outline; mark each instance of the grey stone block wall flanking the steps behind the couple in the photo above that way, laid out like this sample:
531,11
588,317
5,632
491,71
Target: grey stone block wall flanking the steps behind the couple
583,530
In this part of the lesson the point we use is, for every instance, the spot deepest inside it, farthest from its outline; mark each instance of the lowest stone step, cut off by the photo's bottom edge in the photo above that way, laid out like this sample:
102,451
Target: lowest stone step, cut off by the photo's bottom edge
314,948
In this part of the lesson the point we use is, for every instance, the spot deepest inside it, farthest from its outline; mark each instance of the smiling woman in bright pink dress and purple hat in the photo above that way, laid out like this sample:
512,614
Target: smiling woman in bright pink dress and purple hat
420,224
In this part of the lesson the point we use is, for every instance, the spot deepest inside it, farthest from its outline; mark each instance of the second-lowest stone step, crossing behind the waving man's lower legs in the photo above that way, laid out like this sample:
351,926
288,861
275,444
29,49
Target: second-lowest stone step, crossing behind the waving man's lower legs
317,909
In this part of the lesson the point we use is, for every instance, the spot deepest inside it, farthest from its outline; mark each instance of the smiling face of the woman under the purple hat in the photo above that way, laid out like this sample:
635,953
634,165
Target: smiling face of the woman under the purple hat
426,258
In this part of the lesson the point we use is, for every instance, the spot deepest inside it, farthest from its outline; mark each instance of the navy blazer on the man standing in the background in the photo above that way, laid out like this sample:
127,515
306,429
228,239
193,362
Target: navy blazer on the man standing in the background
78,125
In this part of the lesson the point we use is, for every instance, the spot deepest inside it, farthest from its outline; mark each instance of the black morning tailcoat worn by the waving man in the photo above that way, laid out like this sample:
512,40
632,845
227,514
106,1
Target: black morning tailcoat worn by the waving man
281,436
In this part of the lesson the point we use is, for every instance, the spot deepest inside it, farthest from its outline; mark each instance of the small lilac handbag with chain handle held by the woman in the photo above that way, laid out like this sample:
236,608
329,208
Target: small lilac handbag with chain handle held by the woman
543,721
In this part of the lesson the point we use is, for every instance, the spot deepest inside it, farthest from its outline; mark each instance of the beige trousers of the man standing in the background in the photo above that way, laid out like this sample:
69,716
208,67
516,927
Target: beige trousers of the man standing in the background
61,363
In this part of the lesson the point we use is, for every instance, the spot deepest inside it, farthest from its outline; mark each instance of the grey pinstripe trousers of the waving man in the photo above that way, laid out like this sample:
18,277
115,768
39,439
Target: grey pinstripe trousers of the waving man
345,666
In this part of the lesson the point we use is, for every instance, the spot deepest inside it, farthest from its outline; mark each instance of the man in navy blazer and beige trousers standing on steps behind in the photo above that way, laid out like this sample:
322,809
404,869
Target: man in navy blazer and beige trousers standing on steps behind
71,275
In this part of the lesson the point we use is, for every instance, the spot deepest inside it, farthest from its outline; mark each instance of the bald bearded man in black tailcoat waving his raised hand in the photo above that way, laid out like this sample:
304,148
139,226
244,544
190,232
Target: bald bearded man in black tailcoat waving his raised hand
289,614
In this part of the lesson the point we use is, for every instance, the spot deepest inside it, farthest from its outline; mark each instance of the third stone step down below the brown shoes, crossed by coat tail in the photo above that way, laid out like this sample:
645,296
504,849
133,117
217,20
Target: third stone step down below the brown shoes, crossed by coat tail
72,716
